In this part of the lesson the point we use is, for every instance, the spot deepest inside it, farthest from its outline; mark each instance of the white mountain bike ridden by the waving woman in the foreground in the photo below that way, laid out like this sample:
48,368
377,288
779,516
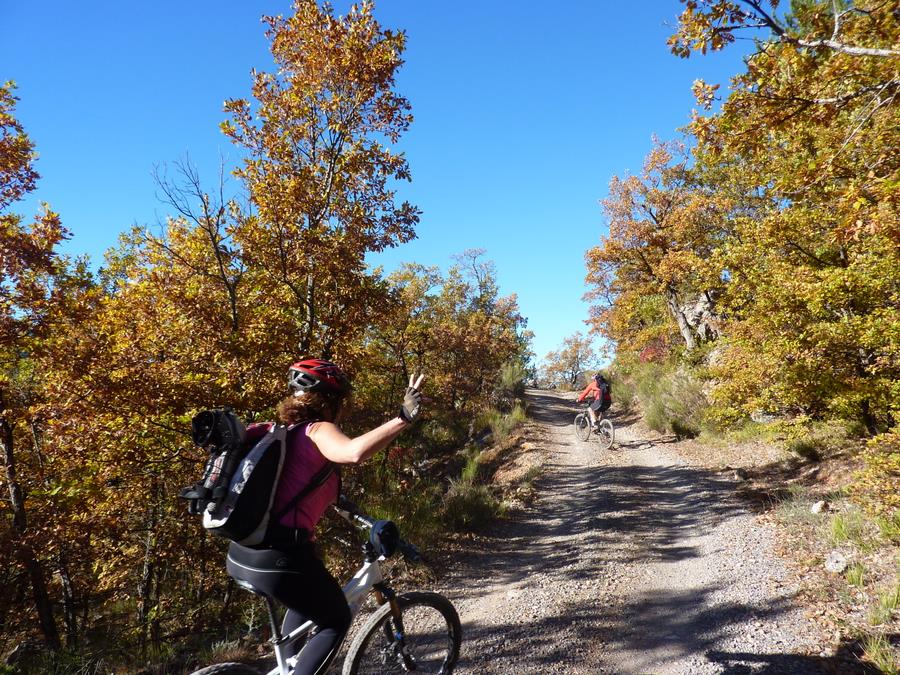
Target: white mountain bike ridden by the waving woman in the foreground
417,631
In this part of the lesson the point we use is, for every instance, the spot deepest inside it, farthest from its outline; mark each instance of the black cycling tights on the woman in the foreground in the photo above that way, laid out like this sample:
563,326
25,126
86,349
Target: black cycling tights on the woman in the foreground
298,580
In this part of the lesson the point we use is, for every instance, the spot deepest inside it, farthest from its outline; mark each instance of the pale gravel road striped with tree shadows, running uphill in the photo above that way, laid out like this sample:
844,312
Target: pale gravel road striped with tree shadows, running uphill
629,562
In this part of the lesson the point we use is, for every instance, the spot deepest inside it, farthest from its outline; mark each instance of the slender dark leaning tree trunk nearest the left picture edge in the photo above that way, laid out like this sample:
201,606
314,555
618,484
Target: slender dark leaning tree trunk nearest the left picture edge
25,553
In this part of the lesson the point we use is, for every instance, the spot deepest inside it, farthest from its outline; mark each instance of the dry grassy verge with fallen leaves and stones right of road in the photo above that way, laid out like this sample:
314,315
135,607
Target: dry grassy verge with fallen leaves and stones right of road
858,606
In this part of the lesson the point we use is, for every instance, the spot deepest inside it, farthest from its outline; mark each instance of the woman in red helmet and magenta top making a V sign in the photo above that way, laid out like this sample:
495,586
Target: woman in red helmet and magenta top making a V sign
287,567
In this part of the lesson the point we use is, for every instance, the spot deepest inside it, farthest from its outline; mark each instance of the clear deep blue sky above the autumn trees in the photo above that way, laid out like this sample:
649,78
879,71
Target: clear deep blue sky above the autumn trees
523,112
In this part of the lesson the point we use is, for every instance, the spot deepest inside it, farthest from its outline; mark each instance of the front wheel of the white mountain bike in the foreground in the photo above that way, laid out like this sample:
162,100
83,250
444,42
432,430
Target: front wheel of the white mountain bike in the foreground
432,635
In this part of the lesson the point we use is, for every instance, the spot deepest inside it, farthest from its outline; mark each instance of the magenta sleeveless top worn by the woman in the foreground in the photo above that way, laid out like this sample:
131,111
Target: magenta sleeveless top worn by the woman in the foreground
301,462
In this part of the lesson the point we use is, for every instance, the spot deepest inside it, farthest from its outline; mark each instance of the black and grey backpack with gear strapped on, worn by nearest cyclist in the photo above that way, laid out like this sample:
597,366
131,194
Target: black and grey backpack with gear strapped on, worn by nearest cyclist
237,491
